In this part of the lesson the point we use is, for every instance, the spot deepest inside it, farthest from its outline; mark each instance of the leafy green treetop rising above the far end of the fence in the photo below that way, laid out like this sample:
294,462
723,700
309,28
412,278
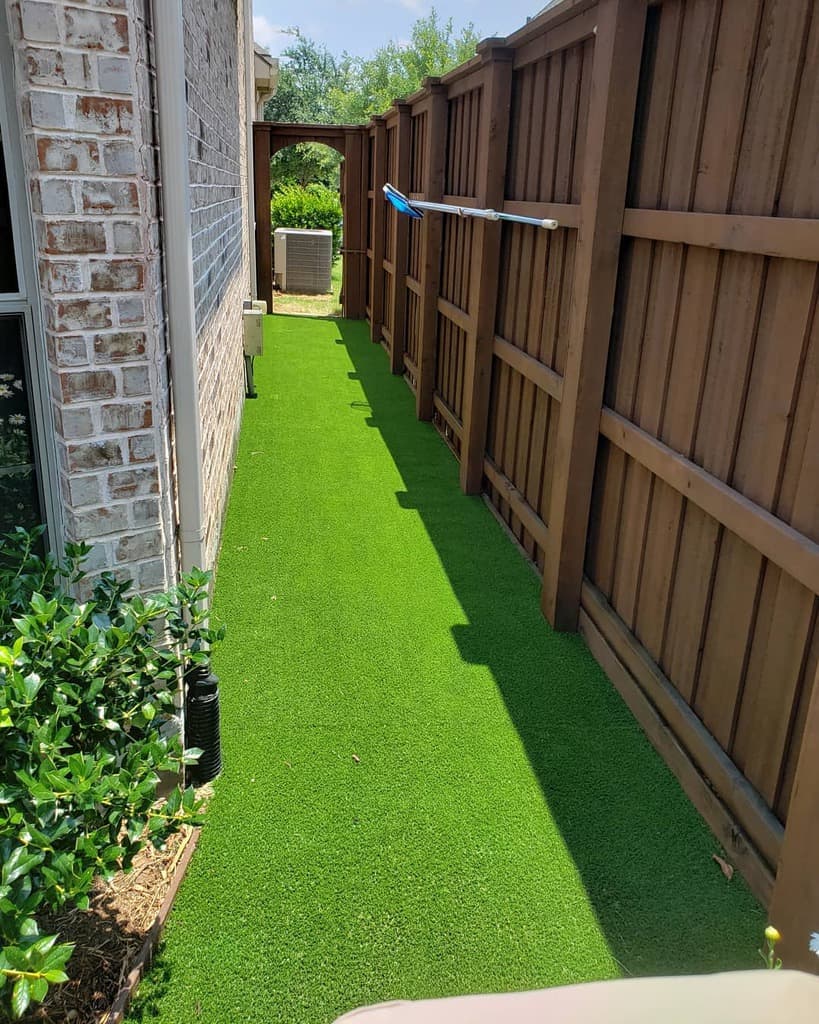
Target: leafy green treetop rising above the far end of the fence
397,70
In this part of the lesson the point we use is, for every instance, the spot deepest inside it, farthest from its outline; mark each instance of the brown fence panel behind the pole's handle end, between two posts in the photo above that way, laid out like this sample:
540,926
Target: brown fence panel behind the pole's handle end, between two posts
550,108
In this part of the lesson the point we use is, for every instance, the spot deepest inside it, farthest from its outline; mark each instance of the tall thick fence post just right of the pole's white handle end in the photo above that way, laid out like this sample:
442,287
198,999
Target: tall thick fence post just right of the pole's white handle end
616,73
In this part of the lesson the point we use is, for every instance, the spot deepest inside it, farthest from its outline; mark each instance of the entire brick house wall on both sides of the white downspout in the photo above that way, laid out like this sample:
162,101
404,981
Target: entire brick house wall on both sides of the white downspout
88,109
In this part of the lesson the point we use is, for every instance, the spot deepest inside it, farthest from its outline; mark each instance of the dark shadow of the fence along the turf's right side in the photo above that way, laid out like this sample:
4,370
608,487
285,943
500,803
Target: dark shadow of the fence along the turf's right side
639,846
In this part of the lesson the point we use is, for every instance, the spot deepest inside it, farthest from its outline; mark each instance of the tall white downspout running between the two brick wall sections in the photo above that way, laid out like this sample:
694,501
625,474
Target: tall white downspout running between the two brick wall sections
173,104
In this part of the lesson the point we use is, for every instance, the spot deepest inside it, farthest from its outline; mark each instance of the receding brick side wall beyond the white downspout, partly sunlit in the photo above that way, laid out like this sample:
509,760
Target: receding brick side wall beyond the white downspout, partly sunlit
215,69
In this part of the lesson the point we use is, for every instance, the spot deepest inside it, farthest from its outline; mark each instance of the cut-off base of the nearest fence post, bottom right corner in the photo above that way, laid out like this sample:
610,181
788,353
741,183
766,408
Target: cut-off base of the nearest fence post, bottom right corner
795,908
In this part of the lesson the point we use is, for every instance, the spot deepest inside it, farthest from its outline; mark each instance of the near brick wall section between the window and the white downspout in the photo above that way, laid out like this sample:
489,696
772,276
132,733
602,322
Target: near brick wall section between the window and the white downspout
87,104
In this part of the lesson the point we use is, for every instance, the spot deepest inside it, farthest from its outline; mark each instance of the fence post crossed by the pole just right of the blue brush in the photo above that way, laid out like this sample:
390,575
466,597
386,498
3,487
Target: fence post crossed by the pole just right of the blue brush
432,235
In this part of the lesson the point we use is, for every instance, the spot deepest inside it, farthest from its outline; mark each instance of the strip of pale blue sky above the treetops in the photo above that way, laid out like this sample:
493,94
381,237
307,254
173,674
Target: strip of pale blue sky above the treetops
362,26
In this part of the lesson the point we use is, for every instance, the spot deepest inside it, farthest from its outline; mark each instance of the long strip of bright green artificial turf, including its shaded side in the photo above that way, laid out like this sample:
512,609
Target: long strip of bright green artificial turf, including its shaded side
426,791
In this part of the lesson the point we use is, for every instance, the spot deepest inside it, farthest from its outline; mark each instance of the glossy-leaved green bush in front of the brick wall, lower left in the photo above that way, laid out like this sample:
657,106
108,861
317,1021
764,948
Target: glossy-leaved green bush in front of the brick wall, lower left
87,728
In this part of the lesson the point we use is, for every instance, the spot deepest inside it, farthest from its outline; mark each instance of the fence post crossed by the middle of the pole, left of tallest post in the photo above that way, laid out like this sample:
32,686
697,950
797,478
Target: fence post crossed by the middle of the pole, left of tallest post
485,268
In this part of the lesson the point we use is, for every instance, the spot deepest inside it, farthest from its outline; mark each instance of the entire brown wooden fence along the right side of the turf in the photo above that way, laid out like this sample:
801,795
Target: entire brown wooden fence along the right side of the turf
636,393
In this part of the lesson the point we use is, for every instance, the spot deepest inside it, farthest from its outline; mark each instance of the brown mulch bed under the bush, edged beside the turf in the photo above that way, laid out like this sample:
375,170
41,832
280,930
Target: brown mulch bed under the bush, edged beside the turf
109,936
